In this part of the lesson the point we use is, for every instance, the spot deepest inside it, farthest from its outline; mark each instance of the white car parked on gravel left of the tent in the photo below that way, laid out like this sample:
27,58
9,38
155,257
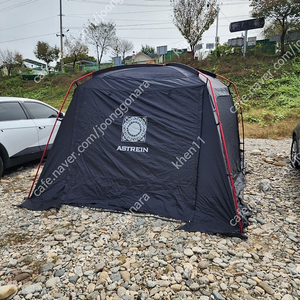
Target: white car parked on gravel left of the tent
25,126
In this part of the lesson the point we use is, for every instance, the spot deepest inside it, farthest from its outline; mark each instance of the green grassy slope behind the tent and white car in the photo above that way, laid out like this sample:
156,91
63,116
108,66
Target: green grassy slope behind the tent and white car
270,110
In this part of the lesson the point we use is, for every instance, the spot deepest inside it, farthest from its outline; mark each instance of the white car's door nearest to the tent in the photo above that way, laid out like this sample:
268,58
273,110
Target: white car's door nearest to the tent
44,118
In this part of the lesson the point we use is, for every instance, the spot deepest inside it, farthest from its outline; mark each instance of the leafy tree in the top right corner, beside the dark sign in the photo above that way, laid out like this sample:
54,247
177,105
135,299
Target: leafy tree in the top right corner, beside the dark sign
283,14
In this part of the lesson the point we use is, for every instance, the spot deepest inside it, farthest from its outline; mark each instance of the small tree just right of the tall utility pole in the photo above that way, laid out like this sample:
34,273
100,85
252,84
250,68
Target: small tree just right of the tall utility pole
75,48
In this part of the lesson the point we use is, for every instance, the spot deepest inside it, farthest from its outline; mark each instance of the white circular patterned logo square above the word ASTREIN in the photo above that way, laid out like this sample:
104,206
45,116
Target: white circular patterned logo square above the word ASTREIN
134,129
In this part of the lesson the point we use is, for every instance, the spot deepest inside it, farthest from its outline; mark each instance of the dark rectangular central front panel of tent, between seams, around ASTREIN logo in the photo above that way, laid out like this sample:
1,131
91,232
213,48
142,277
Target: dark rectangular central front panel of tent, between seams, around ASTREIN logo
108,177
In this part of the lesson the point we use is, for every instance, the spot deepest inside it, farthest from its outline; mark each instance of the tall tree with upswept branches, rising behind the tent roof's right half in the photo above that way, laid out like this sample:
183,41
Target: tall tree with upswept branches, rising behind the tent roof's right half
193,18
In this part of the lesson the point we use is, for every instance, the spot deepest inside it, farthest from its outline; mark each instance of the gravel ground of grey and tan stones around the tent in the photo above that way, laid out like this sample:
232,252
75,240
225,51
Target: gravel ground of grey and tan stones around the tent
78,253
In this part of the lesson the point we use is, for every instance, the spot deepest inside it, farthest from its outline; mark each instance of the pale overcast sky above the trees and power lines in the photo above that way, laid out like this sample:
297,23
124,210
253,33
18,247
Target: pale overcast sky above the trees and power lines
25,22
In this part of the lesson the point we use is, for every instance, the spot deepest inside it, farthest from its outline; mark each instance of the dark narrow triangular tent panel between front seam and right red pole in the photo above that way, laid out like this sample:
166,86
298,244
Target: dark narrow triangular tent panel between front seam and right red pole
215,204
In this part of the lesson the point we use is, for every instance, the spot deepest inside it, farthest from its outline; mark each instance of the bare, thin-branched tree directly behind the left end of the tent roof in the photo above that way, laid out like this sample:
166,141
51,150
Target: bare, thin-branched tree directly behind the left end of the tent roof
102,36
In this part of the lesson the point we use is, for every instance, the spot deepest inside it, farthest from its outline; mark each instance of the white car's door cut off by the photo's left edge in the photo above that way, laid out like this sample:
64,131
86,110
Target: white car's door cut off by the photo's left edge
18,134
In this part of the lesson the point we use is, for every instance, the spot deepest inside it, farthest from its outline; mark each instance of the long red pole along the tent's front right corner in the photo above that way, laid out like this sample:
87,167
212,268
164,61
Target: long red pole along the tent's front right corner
225,151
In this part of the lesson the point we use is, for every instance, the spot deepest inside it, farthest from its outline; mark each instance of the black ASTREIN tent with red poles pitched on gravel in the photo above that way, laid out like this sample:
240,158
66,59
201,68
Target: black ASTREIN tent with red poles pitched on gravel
159,139
